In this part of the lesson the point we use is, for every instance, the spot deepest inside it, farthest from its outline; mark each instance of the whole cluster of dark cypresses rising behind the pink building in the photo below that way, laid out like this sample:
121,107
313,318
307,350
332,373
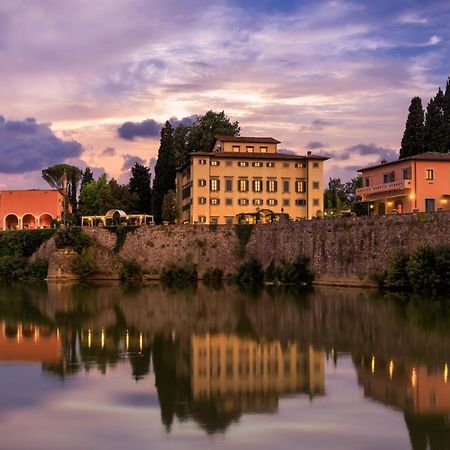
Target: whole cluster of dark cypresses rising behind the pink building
428,131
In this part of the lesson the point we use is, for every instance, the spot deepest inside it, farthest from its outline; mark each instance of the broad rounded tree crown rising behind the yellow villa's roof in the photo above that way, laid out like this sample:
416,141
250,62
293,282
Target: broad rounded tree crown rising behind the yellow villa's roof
206,127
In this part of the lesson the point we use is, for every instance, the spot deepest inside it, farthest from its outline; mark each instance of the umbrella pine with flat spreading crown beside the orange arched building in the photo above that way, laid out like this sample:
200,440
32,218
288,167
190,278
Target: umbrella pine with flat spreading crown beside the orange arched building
65,179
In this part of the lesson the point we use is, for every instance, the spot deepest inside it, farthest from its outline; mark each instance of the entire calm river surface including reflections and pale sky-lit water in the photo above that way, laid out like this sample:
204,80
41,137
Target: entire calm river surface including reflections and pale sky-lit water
114,367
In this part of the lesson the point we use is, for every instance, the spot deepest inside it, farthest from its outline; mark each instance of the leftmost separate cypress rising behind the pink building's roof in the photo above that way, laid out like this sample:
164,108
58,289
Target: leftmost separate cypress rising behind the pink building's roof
412,142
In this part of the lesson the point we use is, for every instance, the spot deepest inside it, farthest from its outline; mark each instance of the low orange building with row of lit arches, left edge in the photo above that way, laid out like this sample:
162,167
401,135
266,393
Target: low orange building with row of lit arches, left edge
29,209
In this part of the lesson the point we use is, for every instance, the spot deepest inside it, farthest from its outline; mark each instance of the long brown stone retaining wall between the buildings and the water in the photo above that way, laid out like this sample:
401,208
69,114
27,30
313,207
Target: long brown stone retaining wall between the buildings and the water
342,251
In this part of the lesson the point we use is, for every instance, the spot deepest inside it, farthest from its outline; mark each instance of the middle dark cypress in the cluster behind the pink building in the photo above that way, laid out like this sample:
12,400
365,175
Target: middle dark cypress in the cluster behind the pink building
435,135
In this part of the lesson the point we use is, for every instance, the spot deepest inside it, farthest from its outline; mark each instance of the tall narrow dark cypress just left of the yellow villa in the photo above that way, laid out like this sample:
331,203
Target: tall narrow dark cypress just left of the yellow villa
164,170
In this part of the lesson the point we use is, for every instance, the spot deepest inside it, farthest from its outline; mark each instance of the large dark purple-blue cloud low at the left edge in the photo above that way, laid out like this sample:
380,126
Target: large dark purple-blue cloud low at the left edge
26,145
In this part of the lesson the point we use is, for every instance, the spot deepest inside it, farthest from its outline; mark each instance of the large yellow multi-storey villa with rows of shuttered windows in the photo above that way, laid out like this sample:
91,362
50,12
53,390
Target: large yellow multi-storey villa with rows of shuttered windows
246,179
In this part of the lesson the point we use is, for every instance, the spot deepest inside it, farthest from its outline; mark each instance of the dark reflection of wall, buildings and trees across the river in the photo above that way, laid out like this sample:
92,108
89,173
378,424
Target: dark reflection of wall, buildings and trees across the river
218,355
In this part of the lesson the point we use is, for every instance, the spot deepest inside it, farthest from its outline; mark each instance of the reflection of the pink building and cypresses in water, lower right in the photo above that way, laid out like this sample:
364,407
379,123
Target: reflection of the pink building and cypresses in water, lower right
421,392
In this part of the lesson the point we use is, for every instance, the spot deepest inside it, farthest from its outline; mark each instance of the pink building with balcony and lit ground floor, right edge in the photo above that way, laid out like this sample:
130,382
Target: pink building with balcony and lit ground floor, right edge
418,183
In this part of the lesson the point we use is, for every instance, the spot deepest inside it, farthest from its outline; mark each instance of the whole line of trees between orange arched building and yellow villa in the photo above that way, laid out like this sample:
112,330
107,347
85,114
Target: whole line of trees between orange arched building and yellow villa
85,195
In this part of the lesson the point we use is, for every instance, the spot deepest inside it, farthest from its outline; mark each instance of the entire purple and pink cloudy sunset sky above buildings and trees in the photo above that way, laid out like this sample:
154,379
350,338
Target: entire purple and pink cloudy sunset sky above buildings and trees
90,82
